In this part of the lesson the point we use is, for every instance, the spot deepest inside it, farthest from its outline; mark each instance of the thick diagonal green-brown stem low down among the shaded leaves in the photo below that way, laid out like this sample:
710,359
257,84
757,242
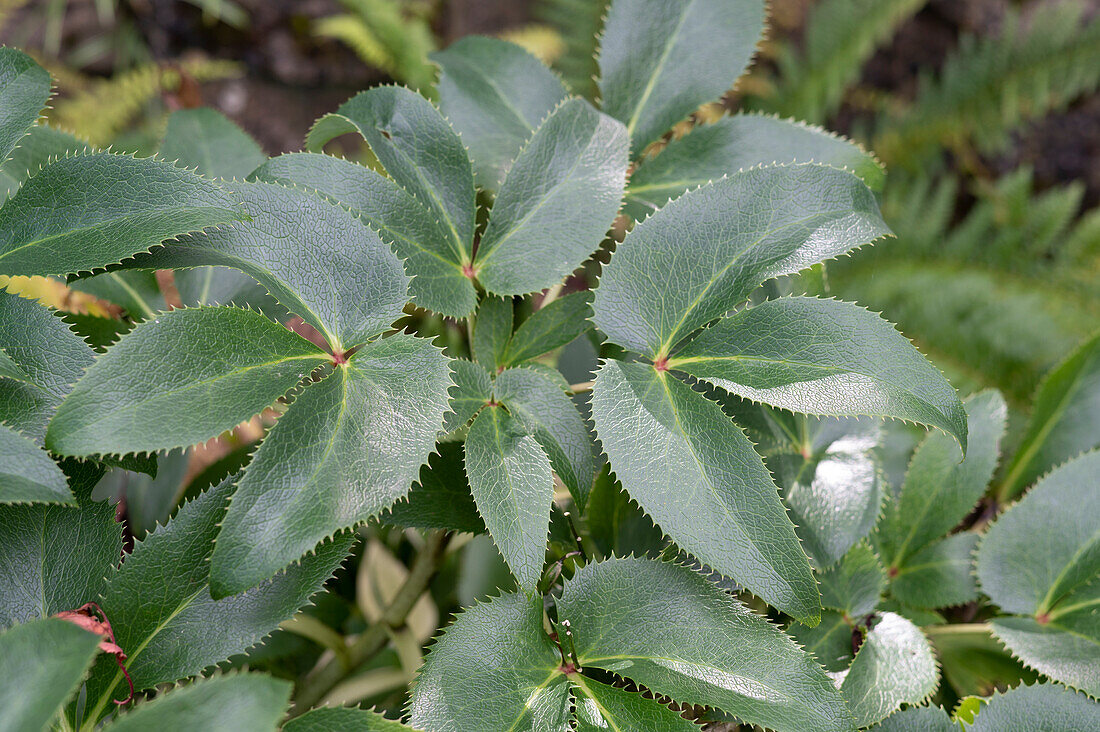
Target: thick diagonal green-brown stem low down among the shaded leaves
323,680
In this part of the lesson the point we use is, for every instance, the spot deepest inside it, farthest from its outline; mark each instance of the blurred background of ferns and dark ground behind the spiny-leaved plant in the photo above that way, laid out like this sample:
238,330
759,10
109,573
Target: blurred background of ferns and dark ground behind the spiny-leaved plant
986,114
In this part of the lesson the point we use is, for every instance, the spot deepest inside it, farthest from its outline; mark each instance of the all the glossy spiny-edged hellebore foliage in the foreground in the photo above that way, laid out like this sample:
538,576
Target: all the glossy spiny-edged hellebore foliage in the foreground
696,355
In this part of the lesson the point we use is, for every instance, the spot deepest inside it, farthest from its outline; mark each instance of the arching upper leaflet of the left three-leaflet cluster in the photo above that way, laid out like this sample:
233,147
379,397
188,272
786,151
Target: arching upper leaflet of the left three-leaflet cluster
296,246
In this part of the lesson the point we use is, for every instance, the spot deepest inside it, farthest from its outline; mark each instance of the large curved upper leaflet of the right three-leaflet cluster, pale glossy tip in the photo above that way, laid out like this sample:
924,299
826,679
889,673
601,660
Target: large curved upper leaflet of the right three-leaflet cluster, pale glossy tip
723,241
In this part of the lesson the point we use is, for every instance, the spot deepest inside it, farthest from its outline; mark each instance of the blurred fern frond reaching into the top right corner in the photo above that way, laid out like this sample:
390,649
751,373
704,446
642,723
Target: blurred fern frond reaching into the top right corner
993,85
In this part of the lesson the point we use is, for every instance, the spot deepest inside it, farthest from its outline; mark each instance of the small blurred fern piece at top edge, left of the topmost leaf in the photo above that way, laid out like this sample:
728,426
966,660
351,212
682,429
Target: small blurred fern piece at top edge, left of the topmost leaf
579,24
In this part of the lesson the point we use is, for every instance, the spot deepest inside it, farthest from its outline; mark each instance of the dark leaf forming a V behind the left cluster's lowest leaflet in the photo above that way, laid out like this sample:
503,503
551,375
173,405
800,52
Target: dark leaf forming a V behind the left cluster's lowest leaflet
164,617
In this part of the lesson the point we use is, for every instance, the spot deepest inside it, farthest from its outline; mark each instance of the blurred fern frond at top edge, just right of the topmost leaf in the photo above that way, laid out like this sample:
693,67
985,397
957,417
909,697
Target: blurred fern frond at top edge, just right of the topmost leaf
841,37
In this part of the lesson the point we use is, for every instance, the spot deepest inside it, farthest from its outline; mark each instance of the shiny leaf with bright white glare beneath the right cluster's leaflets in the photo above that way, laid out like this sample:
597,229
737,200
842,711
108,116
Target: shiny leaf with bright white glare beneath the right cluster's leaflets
834,491
